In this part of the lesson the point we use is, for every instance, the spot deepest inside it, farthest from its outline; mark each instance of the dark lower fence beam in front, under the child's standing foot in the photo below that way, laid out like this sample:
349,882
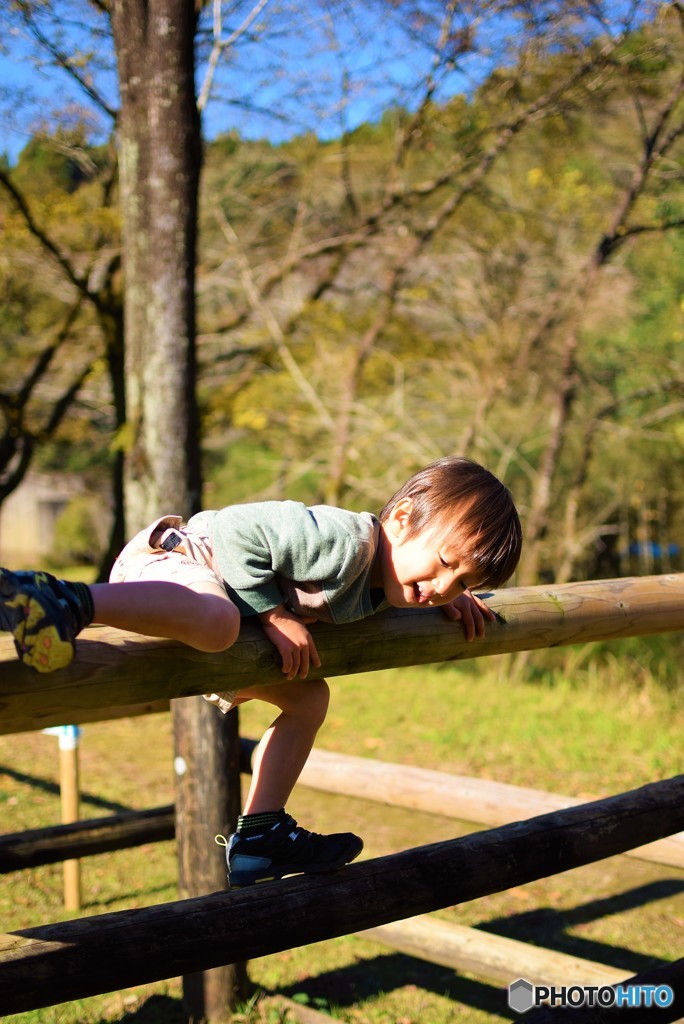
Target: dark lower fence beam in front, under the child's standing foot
76,959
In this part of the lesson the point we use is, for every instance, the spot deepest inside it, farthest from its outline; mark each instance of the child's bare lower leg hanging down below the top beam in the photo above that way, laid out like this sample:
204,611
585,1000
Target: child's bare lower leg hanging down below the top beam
287,744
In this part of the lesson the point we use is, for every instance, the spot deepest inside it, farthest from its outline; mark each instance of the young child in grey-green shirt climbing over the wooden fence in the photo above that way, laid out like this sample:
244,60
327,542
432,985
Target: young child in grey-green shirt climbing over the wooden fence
452,528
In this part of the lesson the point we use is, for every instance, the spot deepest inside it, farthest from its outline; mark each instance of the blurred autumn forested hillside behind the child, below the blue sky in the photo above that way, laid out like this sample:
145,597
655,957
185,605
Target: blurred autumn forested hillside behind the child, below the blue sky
501,275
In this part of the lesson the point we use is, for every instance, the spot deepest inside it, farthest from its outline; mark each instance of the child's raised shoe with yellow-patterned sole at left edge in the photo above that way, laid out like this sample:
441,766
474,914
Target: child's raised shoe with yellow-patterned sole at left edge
44,615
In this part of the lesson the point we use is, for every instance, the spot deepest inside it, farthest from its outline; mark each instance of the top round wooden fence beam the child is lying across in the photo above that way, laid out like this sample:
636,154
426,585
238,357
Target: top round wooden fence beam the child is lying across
115,669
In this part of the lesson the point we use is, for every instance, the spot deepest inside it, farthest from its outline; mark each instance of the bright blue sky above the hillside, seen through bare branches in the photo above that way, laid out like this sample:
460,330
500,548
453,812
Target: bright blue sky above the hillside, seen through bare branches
277,89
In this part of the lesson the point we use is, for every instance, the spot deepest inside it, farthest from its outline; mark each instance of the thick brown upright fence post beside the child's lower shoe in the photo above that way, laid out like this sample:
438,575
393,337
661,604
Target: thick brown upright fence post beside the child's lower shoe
208,799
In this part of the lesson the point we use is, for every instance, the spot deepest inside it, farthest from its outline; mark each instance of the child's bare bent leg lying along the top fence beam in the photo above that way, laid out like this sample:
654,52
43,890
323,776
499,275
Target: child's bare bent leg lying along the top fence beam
201,616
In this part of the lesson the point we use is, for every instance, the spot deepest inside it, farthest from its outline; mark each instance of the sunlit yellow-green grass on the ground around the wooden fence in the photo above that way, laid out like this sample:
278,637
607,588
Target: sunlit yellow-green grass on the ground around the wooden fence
580,730
